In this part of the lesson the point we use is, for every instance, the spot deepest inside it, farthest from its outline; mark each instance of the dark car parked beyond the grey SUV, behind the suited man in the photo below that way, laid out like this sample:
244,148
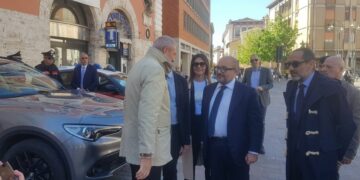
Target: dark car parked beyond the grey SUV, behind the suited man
111,83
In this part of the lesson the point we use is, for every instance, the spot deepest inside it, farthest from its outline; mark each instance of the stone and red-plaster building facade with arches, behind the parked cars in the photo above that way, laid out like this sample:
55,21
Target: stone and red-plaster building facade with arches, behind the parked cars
116,32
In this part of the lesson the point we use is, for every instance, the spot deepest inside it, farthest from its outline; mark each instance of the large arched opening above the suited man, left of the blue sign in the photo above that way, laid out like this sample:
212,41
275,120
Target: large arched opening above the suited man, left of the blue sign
69,31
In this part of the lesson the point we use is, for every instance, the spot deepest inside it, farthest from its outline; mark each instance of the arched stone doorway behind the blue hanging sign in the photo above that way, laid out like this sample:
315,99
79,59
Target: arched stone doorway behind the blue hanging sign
120,54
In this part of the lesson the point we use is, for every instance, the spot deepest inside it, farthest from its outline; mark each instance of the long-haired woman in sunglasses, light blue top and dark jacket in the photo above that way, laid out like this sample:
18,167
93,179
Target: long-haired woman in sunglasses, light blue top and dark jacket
198,80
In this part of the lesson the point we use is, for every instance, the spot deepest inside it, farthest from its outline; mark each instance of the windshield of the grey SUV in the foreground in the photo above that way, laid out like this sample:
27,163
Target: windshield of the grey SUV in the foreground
17,79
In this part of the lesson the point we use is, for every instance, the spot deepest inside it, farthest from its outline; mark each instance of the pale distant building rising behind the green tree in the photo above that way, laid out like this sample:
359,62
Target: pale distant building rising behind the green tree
232,36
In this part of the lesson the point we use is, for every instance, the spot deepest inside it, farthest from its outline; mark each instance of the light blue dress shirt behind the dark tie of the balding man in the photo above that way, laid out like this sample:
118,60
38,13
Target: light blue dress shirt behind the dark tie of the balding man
223,111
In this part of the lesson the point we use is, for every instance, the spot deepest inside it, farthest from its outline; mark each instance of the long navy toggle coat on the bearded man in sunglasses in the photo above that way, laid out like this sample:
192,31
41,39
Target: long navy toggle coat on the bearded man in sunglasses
325,124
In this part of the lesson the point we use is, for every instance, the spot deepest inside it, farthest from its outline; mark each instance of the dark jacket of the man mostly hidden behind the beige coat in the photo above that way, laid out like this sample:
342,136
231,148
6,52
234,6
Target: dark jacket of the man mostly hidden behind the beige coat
182,108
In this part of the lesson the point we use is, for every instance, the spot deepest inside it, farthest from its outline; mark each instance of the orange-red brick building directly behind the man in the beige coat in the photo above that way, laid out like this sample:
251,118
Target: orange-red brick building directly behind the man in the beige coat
188,21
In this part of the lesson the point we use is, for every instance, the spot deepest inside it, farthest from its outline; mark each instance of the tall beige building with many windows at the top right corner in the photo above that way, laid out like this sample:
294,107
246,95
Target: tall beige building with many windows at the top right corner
328,27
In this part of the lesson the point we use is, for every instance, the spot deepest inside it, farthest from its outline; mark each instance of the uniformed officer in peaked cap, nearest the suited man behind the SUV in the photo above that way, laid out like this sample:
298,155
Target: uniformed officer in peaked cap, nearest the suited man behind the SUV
48,67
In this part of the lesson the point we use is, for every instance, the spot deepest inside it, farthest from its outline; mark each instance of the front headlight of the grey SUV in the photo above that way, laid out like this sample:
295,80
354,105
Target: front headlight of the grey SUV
91,132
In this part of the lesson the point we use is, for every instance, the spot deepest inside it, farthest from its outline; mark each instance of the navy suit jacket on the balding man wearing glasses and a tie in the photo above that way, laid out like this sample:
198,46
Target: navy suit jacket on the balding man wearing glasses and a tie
245,126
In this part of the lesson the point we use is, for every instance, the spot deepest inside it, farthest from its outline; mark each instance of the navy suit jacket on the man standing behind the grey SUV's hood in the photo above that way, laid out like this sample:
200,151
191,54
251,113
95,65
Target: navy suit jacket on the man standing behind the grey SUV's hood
90,81
